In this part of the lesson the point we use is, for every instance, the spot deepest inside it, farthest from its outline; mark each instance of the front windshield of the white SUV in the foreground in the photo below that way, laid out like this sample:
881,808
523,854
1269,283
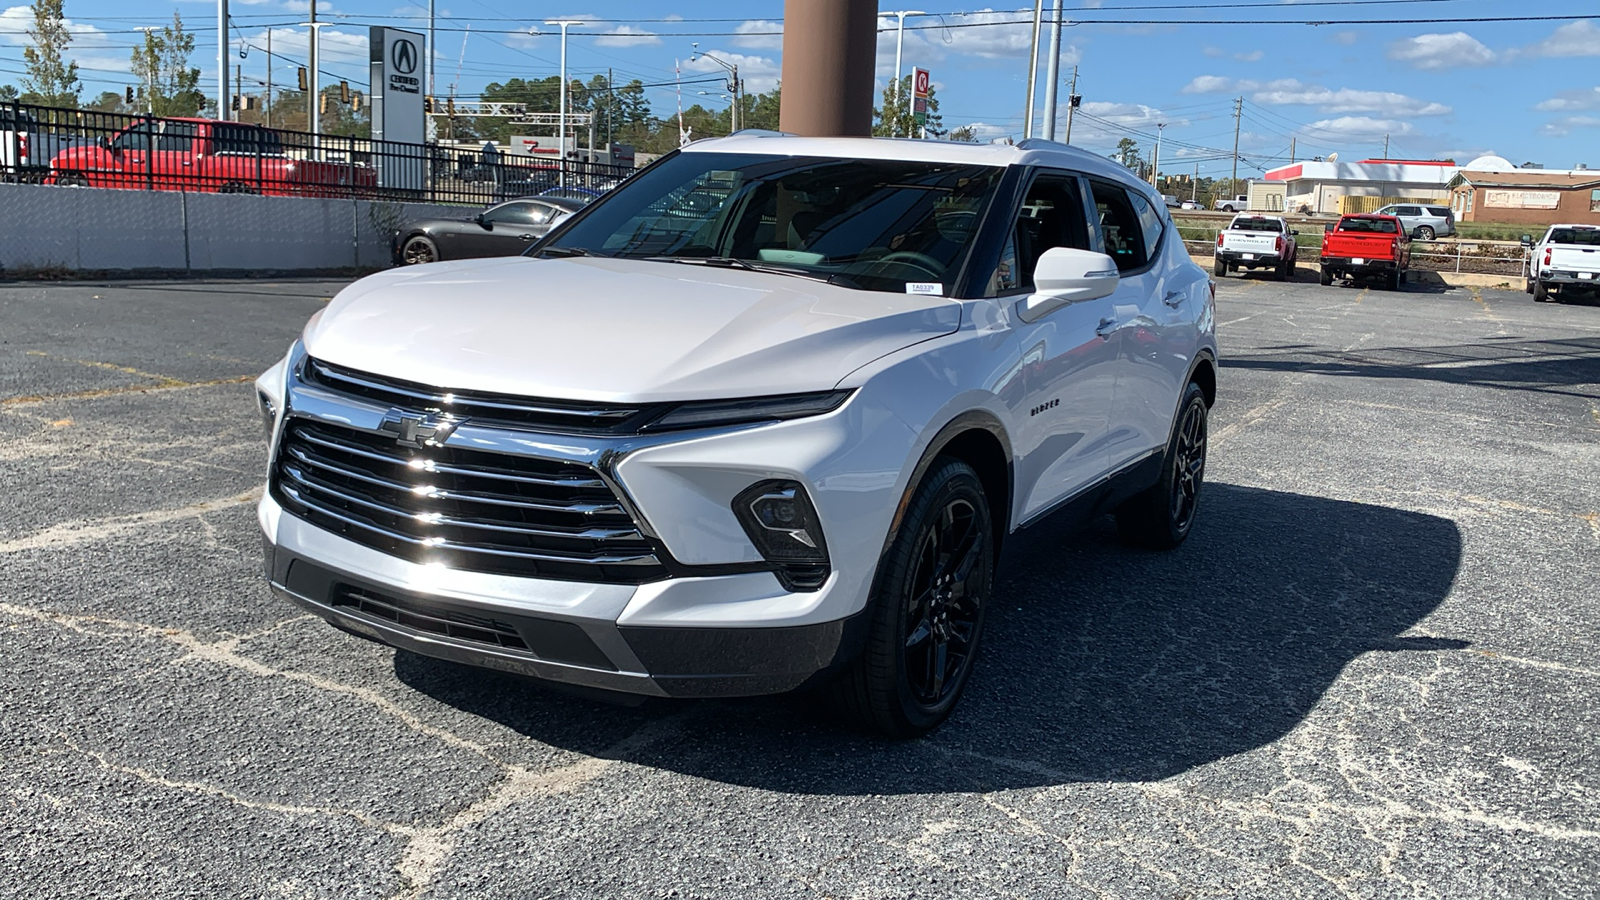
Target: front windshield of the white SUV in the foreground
874,225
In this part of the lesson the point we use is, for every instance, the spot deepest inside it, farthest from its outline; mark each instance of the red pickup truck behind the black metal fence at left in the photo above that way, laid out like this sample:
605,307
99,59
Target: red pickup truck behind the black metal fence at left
204,155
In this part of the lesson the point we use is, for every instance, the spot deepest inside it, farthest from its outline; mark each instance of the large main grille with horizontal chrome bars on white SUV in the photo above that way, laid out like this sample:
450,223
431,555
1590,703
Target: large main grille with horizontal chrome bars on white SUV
463,508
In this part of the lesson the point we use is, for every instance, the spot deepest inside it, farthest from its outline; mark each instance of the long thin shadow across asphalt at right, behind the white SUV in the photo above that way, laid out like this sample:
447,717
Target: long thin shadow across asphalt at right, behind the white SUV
1562,366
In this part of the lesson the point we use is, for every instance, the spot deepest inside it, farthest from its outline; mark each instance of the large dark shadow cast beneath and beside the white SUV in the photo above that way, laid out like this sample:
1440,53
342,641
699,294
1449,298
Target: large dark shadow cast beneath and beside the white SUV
1100,662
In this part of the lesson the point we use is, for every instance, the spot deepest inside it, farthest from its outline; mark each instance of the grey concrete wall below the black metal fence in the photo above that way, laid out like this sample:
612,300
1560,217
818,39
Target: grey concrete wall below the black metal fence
94,230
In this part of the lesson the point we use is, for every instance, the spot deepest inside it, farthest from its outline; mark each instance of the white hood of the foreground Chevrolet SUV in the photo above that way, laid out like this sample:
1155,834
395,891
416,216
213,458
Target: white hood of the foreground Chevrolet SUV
617,331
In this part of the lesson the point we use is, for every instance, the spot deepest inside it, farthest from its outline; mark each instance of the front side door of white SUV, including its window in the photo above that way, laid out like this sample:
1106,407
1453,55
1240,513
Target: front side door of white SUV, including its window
1068,356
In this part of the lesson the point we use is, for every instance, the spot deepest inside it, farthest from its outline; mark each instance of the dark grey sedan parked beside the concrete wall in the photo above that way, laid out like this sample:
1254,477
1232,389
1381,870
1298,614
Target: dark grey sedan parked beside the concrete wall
505,230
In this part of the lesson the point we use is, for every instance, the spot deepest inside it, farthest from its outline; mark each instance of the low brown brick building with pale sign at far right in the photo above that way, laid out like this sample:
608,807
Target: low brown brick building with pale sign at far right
1534,198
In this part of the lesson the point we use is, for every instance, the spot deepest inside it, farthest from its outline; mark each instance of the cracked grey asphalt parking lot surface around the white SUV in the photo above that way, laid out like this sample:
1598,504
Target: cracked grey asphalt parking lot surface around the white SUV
1372,672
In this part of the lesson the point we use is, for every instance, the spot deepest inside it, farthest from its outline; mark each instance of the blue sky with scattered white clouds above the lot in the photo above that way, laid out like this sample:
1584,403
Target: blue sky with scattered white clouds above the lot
1522,90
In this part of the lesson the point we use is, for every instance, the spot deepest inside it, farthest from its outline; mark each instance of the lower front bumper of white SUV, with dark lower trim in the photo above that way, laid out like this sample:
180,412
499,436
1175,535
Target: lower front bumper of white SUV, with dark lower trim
559,632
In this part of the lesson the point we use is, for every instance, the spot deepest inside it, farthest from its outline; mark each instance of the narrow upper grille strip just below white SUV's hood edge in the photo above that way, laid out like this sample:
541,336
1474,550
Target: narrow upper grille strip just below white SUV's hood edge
482,408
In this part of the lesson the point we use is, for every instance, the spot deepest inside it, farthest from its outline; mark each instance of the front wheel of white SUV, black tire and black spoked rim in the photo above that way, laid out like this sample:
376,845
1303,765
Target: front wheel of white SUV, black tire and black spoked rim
927,609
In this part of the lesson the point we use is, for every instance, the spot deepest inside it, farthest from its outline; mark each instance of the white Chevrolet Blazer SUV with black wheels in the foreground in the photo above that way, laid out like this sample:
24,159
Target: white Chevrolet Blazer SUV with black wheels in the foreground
758,420
